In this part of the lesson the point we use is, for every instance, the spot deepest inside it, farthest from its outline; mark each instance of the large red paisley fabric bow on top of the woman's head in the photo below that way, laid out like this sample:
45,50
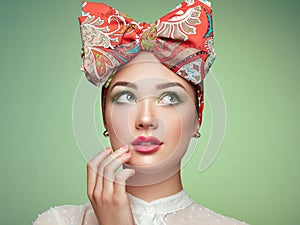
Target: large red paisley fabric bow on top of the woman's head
182,40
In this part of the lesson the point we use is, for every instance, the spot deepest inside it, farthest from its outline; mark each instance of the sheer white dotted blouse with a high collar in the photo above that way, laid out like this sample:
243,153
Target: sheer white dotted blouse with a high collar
176,209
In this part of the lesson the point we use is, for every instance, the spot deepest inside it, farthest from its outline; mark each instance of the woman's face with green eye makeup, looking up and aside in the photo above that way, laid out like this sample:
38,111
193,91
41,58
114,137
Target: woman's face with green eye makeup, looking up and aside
152,110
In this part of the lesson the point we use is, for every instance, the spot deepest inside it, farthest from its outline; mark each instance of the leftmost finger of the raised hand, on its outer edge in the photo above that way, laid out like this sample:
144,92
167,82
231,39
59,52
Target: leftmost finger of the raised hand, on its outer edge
92,170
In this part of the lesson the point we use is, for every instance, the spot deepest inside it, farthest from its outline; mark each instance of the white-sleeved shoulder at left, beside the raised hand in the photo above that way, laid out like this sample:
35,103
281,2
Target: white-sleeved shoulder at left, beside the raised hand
65,214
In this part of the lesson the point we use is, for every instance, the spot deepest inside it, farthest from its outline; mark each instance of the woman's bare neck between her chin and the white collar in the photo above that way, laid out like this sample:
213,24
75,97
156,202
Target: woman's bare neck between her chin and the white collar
150,192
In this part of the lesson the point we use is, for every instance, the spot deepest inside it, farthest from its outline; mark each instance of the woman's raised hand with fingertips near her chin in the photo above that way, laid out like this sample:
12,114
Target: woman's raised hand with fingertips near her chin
106,189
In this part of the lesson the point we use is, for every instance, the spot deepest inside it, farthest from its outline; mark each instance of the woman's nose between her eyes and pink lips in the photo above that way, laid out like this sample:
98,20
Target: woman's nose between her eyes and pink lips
146,118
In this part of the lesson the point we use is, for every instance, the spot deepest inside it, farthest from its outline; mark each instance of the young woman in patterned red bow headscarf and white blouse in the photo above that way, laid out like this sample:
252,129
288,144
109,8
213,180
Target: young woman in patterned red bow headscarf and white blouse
152,97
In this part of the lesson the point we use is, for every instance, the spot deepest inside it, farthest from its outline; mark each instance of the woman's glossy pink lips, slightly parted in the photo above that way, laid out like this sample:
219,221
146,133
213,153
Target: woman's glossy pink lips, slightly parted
146,144
